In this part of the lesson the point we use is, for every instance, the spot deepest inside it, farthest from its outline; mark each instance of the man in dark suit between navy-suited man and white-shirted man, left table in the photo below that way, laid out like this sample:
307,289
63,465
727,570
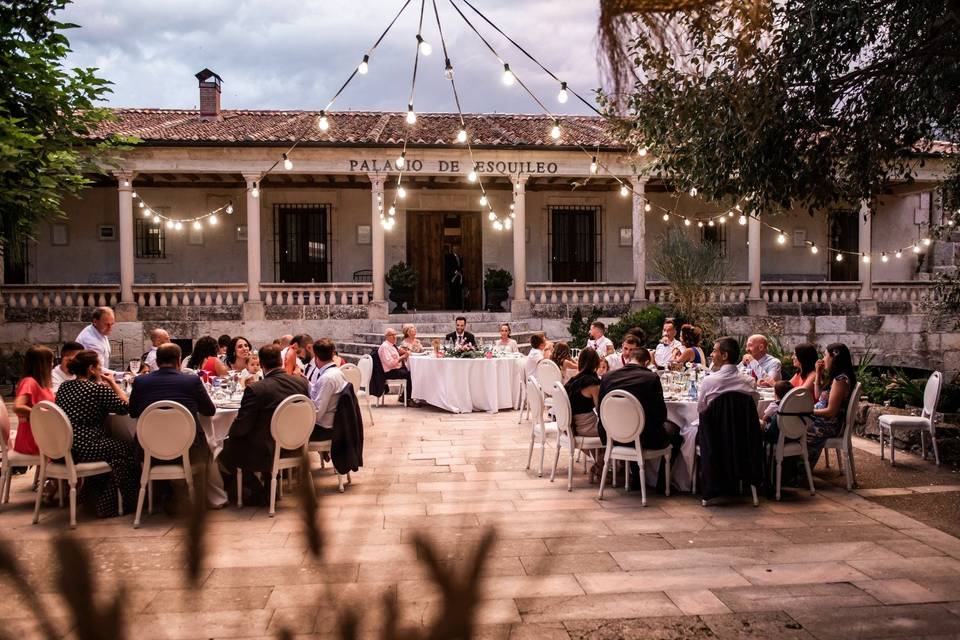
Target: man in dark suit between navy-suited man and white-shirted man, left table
250,446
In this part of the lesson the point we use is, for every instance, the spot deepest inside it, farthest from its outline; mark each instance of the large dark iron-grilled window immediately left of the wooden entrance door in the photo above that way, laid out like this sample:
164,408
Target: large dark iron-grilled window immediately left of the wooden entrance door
302,238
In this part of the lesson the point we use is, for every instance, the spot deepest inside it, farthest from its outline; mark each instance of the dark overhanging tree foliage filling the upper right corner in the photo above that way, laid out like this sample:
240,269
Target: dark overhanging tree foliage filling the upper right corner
805,103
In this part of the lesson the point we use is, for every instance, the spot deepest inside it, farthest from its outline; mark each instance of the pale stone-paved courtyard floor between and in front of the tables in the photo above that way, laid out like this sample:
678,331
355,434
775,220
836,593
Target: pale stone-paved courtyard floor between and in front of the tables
565,565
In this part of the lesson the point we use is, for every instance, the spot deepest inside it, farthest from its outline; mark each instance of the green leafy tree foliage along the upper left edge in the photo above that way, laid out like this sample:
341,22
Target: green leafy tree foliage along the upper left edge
47,116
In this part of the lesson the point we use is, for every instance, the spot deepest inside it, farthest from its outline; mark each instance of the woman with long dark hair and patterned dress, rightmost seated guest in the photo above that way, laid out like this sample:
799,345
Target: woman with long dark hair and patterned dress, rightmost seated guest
834,381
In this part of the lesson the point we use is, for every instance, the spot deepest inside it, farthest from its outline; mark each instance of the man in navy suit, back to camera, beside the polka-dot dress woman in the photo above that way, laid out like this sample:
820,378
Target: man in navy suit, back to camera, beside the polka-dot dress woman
168,383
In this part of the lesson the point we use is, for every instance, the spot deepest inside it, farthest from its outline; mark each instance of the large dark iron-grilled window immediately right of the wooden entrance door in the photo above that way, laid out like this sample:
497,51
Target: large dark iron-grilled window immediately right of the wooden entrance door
575,243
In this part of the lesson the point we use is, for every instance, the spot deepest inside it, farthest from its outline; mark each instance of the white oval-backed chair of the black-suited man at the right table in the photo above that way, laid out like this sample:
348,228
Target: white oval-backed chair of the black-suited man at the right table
623,420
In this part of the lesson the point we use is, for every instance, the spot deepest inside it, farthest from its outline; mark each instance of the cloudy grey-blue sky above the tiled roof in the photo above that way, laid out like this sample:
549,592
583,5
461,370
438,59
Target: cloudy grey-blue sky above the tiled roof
281,54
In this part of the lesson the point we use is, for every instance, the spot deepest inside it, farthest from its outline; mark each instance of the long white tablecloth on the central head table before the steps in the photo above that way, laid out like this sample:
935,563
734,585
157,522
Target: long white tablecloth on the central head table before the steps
463,385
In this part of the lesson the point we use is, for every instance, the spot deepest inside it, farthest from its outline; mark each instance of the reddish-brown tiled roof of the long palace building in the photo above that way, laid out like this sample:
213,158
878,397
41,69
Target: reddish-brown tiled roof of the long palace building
347,128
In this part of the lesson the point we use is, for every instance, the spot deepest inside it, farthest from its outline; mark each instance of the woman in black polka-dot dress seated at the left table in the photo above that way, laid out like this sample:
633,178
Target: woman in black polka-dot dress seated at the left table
87,401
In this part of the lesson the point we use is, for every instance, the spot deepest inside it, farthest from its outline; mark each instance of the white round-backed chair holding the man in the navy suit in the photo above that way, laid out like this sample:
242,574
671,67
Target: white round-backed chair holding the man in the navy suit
165,430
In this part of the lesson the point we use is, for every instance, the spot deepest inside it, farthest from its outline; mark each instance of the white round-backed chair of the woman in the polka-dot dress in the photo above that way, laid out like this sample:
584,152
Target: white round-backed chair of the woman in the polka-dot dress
54,435
